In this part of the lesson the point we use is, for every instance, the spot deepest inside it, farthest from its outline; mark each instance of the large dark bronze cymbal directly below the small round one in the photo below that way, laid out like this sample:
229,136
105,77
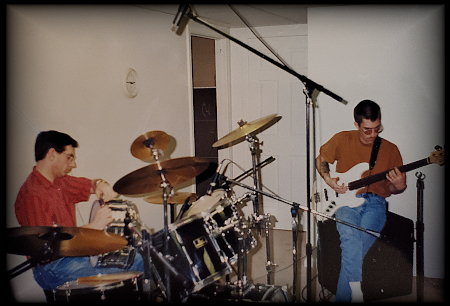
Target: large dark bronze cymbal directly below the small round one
148,179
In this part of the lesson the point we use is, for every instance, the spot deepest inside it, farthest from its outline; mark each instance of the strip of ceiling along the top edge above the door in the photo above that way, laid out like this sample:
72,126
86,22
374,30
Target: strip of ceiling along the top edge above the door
256,14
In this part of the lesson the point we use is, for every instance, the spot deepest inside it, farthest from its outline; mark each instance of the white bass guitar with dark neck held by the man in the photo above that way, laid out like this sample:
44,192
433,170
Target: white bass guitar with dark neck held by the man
331,200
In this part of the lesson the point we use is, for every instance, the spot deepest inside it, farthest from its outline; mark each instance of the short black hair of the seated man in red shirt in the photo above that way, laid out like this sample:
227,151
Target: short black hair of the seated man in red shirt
52,139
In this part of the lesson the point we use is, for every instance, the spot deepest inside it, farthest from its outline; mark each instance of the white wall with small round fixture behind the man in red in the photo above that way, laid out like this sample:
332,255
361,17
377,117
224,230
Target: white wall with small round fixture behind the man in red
65,71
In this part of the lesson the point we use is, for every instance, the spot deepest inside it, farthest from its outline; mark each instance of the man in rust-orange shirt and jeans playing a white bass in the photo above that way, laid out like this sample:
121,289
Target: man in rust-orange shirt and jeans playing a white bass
347,149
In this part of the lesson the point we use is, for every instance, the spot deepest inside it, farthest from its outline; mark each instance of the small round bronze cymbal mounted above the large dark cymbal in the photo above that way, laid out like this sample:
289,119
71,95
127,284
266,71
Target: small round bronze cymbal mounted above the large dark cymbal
140,148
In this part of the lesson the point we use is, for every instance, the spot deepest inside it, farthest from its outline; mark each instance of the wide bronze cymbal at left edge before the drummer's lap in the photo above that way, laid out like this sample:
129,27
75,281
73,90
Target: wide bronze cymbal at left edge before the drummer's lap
69,241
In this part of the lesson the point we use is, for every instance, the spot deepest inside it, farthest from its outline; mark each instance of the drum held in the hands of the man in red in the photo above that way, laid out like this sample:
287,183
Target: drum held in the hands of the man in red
126,222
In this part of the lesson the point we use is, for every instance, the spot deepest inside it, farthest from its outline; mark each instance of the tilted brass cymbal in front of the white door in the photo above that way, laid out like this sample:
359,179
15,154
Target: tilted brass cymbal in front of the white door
253,127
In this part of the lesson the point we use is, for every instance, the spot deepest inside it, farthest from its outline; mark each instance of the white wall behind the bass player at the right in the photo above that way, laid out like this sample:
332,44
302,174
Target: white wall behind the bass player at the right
393,55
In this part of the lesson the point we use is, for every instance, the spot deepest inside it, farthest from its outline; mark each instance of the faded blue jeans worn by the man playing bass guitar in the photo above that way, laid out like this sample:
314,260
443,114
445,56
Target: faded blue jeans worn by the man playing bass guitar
355,243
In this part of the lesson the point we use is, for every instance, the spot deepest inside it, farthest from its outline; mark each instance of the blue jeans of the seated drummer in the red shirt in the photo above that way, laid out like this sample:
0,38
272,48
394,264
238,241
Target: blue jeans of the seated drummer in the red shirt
55,273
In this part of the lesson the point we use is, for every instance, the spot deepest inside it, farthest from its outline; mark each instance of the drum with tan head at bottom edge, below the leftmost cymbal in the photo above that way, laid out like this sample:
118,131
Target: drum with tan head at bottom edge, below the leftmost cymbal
123,286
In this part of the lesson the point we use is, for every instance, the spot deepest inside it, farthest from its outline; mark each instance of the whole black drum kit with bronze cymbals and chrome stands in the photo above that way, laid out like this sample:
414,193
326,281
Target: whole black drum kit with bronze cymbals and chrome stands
186,259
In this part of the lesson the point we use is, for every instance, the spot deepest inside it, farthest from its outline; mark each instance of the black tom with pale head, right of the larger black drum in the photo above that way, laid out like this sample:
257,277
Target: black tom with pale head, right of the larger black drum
223,220
